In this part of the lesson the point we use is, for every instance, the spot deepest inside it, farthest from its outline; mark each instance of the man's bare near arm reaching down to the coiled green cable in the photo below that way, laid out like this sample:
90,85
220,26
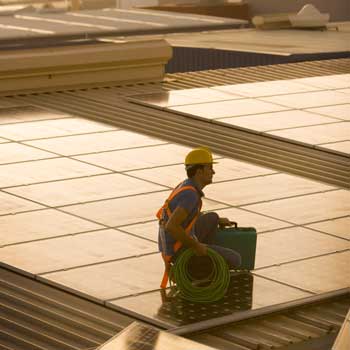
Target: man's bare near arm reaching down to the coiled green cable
173,226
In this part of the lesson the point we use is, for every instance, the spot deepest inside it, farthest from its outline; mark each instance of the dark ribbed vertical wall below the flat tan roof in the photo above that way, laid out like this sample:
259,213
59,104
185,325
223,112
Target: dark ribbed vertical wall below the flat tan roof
196,59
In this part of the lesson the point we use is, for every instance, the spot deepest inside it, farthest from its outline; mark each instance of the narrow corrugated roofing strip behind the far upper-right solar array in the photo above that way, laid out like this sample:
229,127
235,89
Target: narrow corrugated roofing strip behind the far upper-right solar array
215,77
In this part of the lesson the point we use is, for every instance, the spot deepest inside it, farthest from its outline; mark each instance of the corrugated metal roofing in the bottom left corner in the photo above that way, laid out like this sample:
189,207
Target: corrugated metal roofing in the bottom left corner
36,316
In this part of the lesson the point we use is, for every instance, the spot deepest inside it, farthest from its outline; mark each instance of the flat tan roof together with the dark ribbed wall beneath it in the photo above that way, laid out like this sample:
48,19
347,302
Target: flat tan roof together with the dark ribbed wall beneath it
217,49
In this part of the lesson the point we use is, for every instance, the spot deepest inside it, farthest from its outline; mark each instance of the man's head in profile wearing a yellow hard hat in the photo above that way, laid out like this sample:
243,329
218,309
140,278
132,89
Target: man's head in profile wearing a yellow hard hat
199,166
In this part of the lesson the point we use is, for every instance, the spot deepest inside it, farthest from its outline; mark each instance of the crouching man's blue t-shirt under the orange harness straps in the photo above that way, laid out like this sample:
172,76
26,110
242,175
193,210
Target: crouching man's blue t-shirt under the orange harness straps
190,201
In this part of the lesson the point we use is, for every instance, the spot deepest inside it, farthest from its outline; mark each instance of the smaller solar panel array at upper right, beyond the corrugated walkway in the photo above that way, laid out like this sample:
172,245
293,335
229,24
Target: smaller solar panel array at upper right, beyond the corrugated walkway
310,111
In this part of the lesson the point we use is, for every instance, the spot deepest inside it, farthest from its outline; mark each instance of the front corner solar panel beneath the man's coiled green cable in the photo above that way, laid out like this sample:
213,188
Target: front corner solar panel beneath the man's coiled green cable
246,292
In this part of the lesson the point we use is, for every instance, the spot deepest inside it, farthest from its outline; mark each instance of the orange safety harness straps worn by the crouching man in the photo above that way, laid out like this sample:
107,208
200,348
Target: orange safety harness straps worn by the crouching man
178,244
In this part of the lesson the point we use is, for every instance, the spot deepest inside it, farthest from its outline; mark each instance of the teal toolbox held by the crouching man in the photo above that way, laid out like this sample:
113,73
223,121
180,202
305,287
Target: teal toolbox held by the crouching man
240,239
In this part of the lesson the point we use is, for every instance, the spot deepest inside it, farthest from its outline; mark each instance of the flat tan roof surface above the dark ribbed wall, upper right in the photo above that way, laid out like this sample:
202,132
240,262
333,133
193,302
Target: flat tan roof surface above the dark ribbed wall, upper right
275,42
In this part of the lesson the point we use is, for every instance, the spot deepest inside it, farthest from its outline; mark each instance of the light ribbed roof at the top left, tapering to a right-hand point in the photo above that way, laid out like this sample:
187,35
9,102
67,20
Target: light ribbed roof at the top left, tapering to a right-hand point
29,29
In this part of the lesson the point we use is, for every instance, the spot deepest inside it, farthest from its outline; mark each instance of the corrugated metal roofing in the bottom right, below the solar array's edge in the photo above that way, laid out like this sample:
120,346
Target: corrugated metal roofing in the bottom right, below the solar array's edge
303,327
